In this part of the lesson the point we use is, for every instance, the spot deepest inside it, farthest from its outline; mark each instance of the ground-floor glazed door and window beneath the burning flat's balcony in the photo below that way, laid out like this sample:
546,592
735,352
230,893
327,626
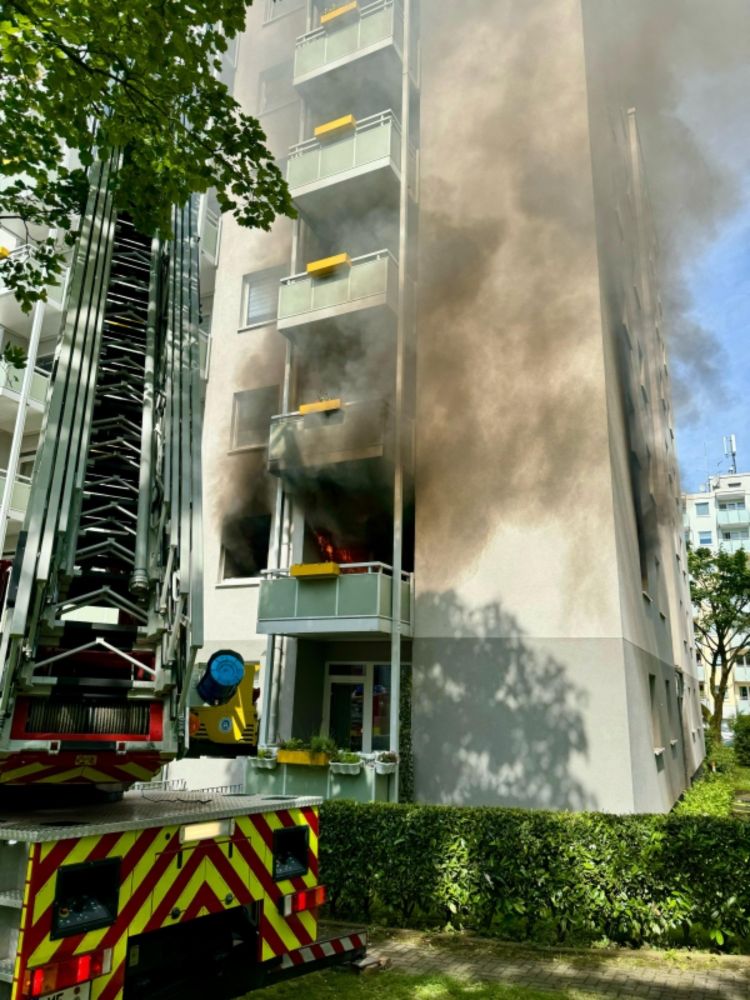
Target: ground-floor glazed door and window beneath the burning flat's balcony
357,712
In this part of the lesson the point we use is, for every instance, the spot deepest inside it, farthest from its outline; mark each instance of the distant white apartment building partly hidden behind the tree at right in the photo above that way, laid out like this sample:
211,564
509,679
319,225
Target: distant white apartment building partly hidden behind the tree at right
719,518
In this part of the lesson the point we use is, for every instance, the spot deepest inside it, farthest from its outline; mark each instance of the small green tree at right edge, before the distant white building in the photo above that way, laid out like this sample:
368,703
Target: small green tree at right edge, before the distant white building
720,594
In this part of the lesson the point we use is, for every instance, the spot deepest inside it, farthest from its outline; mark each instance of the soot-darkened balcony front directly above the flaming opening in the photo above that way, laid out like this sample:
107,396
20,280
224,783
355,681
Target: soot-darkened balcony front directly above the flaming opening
351,432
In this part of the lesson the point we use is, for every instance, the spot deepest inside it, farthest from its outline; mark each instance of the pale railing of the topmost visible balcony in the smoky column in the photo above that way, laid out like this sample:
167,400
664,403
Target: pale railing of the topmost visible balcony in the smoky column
376,24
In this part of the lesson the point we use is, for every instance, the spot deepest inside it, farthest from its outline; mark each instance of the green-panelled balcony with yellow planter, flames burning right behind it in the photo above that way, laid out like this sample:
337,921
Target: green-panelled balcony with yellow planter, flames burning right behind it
355,600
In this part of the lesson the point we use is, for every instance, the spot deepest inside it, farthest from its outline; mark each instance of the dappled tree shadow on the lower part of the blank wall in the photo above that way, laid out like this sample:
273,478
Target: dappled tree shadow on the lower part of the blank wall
496,722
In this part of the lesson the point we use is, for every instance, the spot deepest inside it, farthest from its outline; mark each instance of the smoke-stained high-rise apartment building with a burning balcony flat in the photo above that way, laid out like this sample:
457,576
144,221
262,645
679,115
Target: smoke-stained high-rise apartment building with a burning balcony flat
441,498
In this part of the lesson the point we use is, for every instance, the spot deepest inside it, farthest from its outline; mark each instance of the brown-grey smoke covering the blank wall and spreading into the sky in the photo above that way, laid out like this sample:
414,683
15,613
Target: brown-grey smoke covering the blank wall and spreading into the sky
509,348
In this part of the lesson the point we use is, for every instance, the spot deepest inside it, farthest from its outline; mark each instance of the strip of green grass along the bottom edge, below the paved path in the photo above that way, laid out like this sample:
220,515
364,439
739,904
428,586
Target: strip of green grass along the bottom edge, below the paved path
343,985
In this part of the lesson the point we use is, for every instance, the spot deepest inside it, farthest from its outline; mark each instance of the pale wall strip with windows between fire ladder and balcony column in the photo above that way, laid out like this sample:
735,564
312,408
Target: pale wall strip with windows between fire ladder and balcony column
234,479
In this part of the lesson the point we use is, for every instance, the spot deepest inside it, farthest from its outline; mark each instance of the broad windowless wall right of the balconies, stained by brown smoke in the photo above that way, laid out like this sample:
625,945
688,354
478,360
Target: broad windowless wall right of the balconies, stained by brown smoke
533,641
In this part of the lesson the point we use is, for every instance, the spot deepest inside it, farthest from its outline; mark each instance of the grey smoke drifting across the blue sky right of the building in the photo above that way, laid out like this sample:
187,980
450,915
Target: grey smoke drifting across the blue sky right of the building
682,63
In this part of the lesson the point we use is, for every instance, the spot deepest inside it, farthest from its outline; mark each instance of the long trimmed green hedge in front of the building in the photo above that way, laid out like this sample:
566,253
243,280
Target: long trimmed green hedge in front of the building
546,877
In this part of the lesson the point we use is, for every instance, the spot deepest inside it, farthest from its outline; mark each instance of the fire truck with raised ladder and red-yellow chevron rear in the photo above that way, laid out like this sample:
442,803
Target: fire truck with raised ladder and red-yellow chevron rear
110,893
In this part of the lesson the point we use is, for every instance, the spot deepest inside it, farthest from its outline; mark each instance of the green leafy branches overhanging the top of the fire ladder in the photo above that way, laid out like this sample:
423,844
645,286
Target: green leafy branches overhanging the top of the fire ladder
133,77
